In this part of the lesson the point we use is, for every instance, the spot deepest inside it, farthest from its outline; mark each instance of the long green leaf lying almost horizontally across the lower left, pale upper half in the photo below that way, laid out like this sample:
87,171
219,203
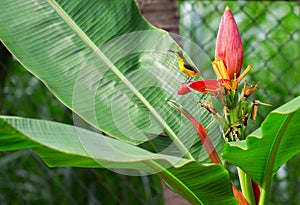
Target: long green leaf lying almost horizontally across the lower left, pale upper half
65,145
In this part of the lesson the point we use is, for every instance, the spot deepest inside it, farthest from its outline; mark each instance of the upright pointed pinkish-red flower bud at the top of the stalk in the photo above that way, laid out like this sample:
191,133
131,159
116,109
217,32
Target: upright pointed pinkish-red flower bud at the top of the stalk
229,46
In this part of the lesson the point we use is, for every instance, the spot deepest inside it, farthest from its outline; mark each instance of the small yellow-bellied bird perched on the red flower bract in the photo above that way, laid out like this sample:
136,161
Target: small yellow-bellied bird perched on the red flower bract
185,67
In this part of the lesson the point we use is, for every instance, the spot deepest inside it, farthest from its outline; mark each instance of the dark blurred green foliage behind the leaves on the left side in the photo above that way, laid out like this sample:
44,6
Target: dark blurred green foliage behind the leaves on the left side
25,179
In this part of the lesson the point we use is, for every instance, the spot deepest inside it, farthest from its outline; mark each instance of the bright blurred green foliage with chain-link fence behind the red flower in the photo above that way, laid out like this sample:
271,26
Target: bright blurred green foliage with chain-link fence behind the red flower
270,32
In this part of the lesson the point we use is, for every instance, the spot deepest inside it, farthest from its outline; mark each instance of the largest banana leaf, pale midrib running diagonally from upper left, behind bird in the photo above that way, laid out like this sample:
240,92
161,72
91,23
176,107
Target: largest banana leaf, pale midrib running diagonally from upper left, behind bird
107,64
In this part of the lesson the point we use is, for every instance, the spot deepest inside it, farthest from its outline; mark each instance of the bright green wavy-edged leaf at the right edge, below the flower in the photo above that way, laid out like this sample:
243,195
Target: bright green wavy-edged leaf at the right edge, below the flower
268,148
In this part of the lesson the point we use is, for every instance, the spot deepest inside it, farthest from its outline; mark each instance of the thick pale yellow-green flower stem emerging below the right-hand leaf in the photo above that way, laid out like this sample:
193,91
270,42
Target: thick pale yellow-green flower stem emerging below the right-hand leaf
246,187
